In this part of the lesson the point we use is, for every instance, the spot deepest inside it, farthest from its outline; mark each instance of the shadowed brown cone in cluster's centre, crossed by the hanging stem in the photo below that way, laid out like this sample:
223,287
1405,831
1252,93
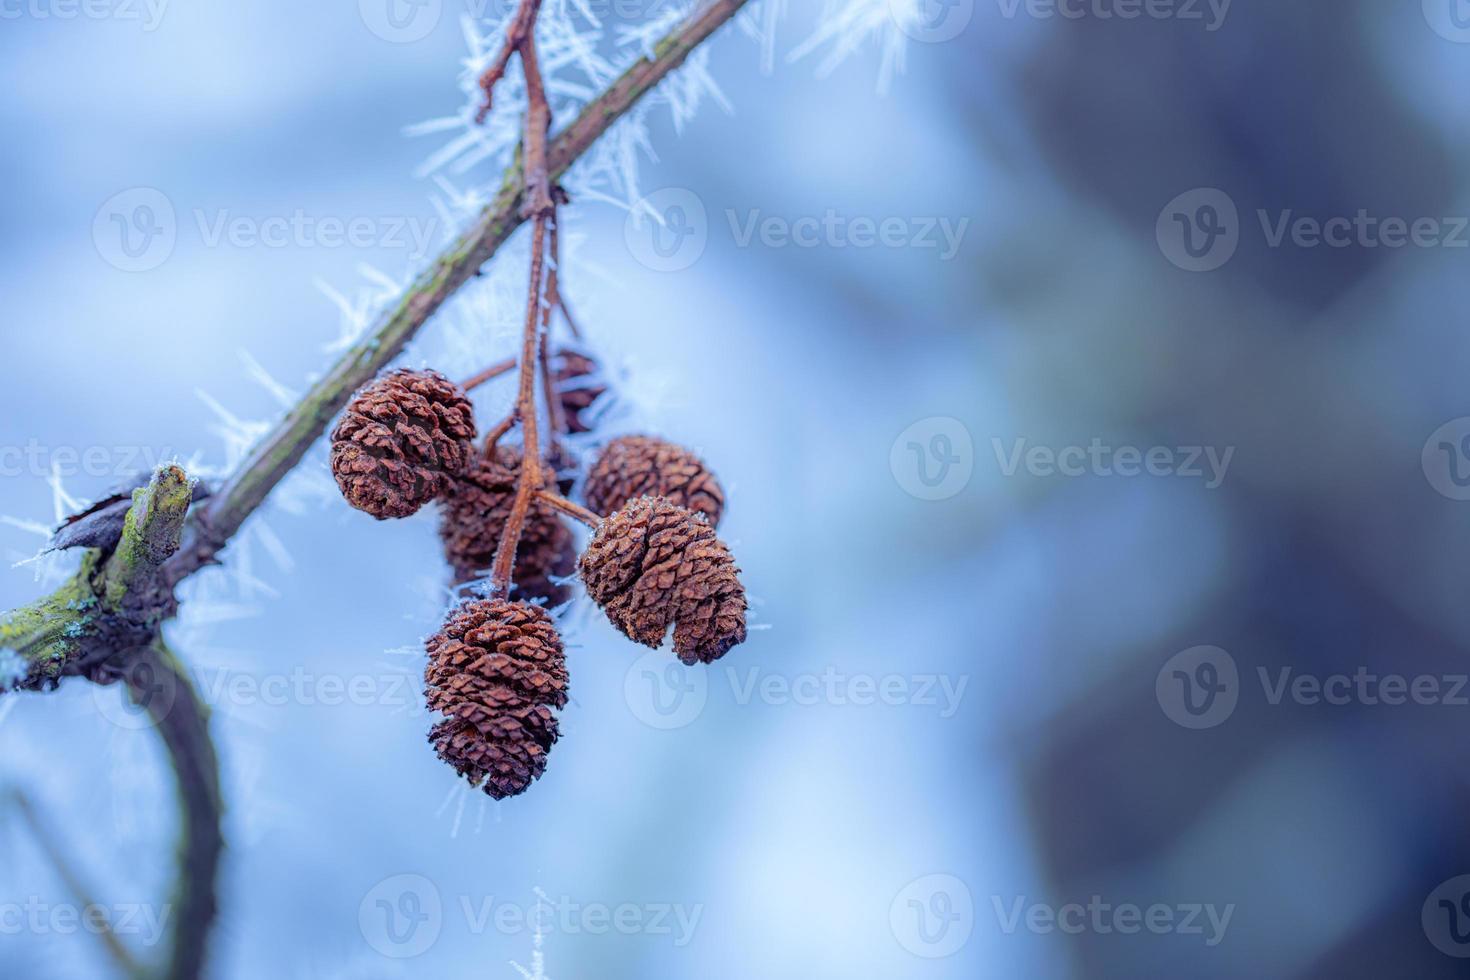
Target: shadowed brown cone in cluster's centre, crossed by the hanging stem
474,516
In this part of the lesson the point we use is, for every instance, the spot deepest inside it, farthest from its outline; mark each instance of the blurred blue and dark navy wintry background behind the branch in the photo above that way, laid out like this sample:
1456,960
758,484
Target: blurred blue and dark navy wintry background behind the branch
964,709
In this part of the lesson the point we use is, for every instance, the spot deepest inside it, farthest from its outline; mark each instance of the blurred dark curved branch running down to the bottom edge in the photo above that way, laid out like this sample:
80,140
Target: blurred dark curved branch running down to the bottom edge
159,684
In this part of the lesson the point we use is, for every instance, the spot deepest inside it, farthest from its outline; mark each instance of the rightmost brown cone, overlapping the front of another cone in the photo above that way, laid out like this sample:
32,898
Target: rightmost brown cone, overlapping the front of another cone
655,563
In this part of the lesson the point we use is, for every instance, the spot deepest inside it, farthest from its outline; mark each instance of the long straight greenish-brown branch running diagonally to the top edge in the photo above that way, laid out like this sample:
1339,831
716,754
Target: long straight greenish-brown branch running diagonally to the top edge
280,452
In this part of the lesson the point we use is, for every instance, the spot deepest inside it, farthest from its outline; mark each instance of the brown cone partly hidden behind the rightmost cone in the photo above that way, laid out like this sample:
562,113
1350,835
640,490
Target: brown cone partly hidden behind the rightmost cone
637,466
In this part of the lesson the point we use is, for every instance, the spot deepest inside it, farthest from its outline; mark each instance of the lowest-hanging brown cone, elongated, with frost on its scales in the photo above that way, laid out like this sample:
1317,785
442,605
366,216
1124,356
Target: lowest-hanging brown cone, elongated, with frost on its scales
498,674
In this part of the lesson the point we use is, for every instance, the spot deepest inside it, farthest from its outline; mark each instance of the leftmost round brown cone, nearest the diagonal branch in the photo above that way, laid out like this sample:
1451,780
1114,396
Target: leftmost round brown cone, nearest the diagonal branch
401,442
